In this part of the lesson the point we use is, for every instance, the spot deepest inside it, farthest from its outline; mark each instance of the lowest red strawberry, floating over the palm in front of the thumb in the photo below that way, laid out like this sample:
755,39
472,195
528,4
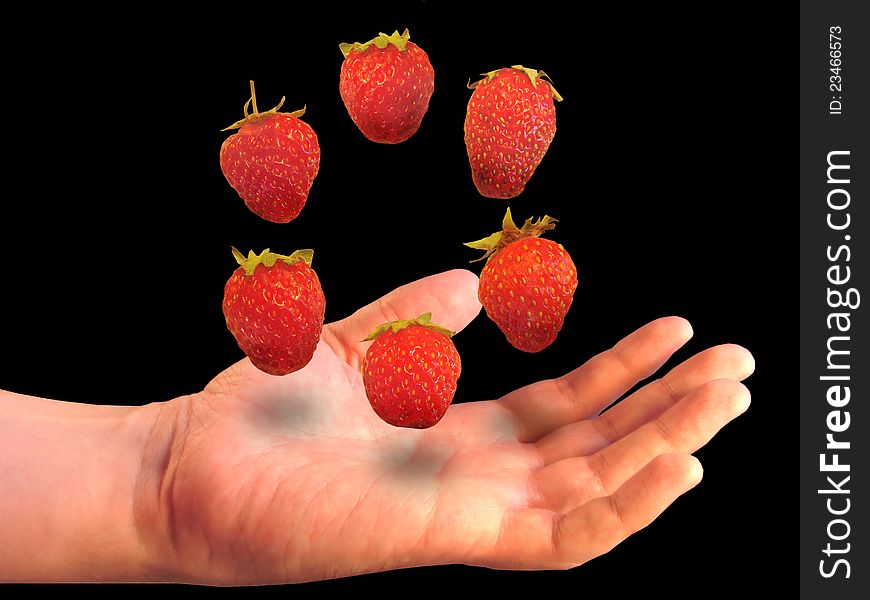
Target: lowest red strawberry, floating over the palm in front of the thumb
410,372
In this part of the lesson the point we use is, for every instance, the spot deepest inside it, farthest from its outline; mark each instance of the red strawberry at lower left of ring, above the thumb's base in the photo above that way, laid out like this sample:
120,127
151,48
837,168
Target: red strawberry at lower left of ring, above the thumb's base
274,307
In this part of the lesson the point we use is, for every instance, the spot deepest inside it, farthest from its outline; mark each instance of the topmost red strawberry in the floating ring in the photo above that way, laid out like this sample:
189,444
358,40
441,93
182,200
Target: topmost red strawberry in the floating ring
386,84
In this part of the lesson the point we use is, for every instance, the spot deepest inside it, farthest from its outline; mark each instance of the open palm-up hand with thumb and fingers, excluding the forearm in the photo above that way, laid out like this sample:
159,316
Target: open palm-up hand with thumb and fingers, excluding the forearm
294,478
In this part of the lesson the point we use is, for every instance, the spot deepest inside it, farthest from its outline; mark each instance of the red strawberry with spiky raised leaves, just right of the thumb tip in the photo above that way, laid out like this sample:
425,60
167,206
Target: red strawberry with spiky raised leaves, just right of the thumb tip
527,284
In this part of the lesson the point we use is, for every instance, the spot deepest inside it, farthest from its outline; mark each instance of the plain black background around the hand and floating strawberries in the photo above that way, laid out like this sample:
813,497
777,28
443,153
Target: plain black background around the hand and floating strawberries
665,173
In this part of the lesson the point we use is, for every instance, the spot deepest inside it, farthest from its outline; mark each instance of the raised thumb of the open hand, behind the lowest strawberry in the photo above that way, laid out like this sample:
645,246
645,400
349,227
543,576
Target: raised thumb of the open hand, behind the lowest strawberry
451,297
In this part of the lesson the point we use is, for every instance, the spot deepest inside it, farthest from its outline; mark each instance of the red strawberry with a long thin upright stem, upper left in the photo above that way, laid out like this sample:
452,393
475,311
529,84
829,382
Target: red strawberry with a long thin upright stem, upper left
272,161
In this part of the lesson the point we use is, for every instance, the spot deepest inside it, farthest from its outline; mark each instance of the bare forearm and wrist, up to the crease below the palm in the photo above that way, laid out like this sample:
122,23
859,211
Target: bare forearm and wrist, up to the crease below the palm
82,485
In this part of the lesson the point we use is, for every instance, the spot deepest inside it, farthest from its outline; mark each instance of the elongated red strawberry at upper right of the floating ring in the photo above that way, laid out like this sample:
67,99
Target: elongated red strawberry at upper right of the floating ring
510,123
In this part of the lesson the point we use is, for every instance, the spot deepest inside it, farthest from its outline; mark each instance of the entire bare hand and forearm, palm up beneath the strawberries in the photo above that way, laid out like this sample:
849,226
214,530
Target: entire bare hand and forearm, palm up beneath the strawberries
261,479
